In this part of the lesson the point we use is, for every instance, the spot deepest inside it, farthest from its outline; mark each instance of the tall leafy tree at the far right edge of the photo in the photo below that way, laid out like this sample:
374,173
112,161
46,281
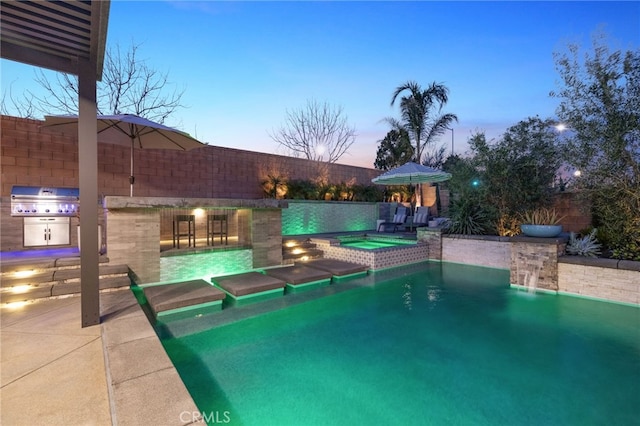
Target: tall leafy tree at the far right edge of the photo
600,103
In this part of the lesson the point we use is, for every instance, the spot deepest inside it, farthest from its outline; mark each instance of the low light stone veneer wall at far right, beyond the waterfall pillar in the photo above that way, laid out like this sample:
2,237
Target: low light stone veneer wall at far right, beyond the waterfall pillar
617,280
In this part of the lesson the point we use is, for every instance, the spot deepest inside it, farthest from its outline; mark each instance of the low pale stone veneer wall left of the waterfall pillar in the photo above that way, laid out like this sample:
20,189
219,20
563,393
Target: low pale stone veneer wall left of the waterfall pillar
494,252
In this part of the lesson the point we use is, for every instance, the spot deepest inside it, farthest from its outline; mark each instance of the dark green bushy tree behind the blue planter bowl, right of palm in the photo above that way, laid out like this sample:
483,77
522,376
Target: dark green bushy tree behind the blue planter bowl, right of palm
502,179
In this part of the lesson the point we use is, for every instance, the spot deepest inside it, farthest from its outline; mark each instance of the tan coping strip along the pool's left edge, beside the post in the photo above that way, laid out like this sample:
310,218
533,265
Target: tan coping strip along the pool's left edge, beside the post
134,395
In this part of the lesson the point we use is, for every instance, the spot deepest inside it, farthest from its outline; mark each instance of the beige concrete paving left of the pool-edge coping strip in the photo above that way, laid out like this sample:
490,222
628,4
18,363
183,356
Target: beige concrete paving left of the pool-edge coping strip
52,371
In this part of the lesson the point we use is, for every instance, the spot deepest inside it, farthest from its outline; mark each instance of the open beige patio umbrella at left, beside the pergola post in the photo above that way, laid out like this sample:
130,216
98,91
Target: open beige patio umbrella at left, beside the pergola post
129,130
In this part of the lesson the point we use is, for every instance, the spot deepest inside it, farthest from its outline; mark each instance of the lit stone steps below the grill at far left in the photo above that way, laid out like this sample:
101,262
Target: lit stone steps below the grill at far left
51,278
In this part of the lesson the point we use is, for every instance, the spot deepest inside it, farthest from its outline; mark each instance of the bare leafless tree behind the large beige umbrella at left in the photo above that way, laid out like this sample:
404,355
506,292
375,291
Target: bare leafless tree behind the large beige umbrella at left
128,86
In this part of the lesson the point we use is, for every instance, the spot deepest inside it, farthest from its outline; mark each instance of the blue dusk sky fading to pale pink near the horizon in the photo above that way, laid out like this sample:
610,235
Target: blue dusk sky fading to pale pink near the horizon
244,64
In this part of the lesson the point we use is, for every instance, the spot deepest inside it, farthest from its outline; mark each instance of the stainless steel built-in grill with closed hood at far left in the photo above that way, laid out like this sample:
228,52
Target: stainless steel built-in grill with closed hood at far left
42,201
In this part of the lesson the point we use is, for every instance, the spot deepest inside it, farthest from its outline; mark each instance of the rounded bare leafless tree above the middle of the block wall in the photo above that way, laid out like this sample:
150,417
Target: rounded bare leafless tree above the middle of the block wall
318,132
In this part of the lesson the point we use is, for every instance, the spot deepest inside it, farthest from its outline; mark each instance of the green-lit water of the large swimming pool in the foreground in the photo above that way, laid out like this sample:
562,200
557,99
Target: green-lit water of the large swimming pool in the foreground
433,343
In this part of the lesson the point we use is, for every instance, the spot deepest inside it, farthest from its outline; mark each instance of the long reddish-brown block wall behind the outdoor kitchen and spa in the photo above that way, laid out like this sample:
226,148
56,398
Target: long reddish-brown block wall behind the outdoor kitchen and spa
35,156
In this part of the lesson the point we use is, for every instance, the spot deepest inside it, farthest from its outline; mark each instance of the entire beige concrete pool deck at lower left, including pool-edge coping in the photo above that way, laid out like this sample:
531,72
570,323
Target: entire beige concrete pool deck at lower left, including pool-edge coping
55,372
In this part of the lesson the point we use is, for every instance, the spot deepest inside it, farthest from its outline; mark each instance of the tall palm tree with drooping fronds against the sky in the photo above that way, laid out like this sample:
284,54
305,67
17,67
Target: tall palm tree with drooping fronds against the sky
417,112
